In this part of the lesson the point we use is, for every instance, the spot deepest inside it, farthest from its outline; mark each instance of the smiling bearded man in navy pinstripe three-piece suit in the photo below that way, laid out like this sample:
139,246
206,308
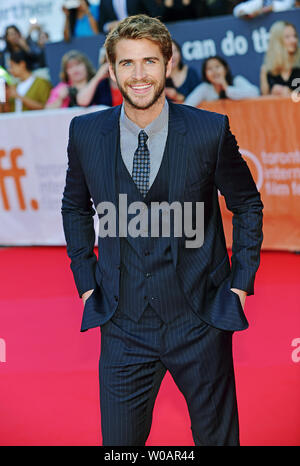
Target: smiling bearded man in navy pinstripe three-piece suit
160,305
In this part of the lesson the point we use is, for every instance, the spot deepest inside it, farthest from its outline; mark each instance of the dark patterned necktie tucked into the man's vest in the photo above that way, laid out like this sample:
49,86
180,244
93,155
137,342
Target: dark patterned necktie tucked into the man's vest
141,164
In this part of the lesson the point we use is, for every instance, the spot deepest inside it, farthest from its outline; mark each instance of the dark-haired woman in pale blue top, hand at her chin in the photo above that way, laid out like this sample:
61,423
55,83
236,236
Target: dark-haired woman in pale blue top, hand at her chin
220,84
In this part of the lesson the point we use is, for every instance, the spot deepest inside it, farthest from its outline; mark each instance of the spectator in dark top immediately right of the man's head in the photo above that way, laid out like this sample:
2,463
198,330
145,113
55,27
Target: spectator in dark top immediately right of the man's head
183,79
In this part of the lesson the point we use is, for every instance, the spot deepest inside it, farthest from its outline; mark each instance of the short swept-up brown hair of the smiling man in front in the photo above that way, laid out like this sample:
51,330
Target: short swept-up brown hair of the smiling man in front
139,27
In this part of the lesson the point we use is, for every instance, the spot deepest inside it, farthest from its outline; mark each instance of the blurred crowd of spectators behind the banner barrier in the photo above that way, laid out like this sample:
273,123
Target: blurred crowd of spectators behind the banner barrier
30,88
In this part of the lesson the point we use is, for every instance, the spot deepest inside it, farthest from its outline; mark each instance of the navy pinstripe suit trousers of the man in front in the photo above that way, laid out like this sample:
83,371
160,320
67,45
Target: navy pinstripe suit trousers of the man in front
133,361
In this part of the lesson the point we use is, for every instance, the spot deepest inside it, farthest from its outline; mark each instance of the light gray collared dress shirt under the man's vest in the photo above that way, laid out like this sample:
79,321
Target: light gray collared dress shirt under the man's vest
157,132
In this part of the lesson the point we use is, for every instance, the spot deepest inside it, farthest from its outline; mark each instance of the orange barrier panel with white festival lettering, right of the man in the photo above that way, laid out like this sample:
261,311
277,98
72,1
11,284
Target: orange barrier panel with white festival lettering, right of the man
267,132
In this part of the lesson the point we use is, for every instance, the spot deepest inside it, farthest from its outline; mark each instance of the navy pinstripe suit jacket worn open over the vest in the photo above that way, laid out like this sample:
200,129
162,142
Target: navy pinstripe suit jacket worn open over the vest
204,158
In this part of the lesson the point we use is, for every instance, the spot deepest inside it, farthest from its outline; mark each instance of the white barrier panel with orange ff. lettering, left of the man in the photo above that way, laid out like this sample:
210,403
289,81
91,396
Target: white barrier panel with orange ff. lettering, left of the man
33,162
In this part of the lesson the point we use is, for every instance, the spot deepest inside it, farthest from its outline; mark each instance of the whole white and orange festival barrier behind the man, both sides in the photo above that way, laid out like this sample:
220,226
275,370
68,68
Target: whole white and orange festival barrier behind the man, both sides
33,165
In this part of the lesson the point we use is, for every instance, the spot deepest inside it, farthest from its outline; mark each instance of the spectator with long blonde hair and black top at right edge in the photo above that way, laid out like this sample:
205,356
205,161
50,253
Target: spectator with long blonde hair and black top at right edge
282,60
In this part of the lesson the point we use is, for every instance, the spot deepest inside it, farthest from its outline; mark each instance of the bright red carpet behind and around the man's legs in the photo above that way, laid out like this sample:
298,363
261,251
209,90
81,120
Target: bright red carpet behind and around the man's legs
49,370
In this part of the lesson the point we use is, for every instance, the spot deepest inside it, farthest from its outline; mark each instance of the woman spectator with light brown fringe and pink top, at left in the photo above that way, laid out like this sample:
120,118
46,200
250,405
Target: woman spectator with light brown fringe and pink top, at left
76,71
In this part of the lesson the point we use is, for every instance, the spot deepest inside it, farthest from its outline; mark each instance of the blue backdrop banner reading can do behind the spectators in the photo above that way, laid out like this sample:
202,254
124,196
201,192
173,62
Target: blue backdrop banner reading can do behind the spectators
242,43
